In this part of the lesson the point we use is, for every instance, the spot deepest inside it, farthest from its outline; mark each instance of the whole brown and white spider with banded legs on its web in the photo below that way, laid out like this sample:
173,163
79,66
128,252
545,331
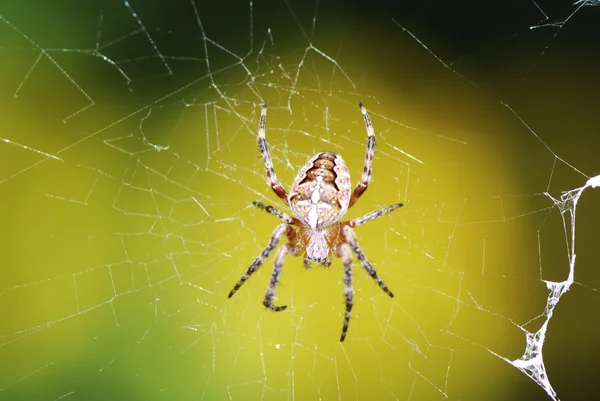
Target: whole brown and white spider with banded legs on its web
319,198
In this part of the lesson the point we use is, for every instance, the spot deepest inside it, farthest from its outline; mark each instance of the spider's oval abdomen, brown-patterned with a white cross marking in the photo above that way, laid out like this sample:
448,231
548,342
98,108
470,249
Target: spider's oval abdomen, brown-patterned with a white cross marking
320,194
